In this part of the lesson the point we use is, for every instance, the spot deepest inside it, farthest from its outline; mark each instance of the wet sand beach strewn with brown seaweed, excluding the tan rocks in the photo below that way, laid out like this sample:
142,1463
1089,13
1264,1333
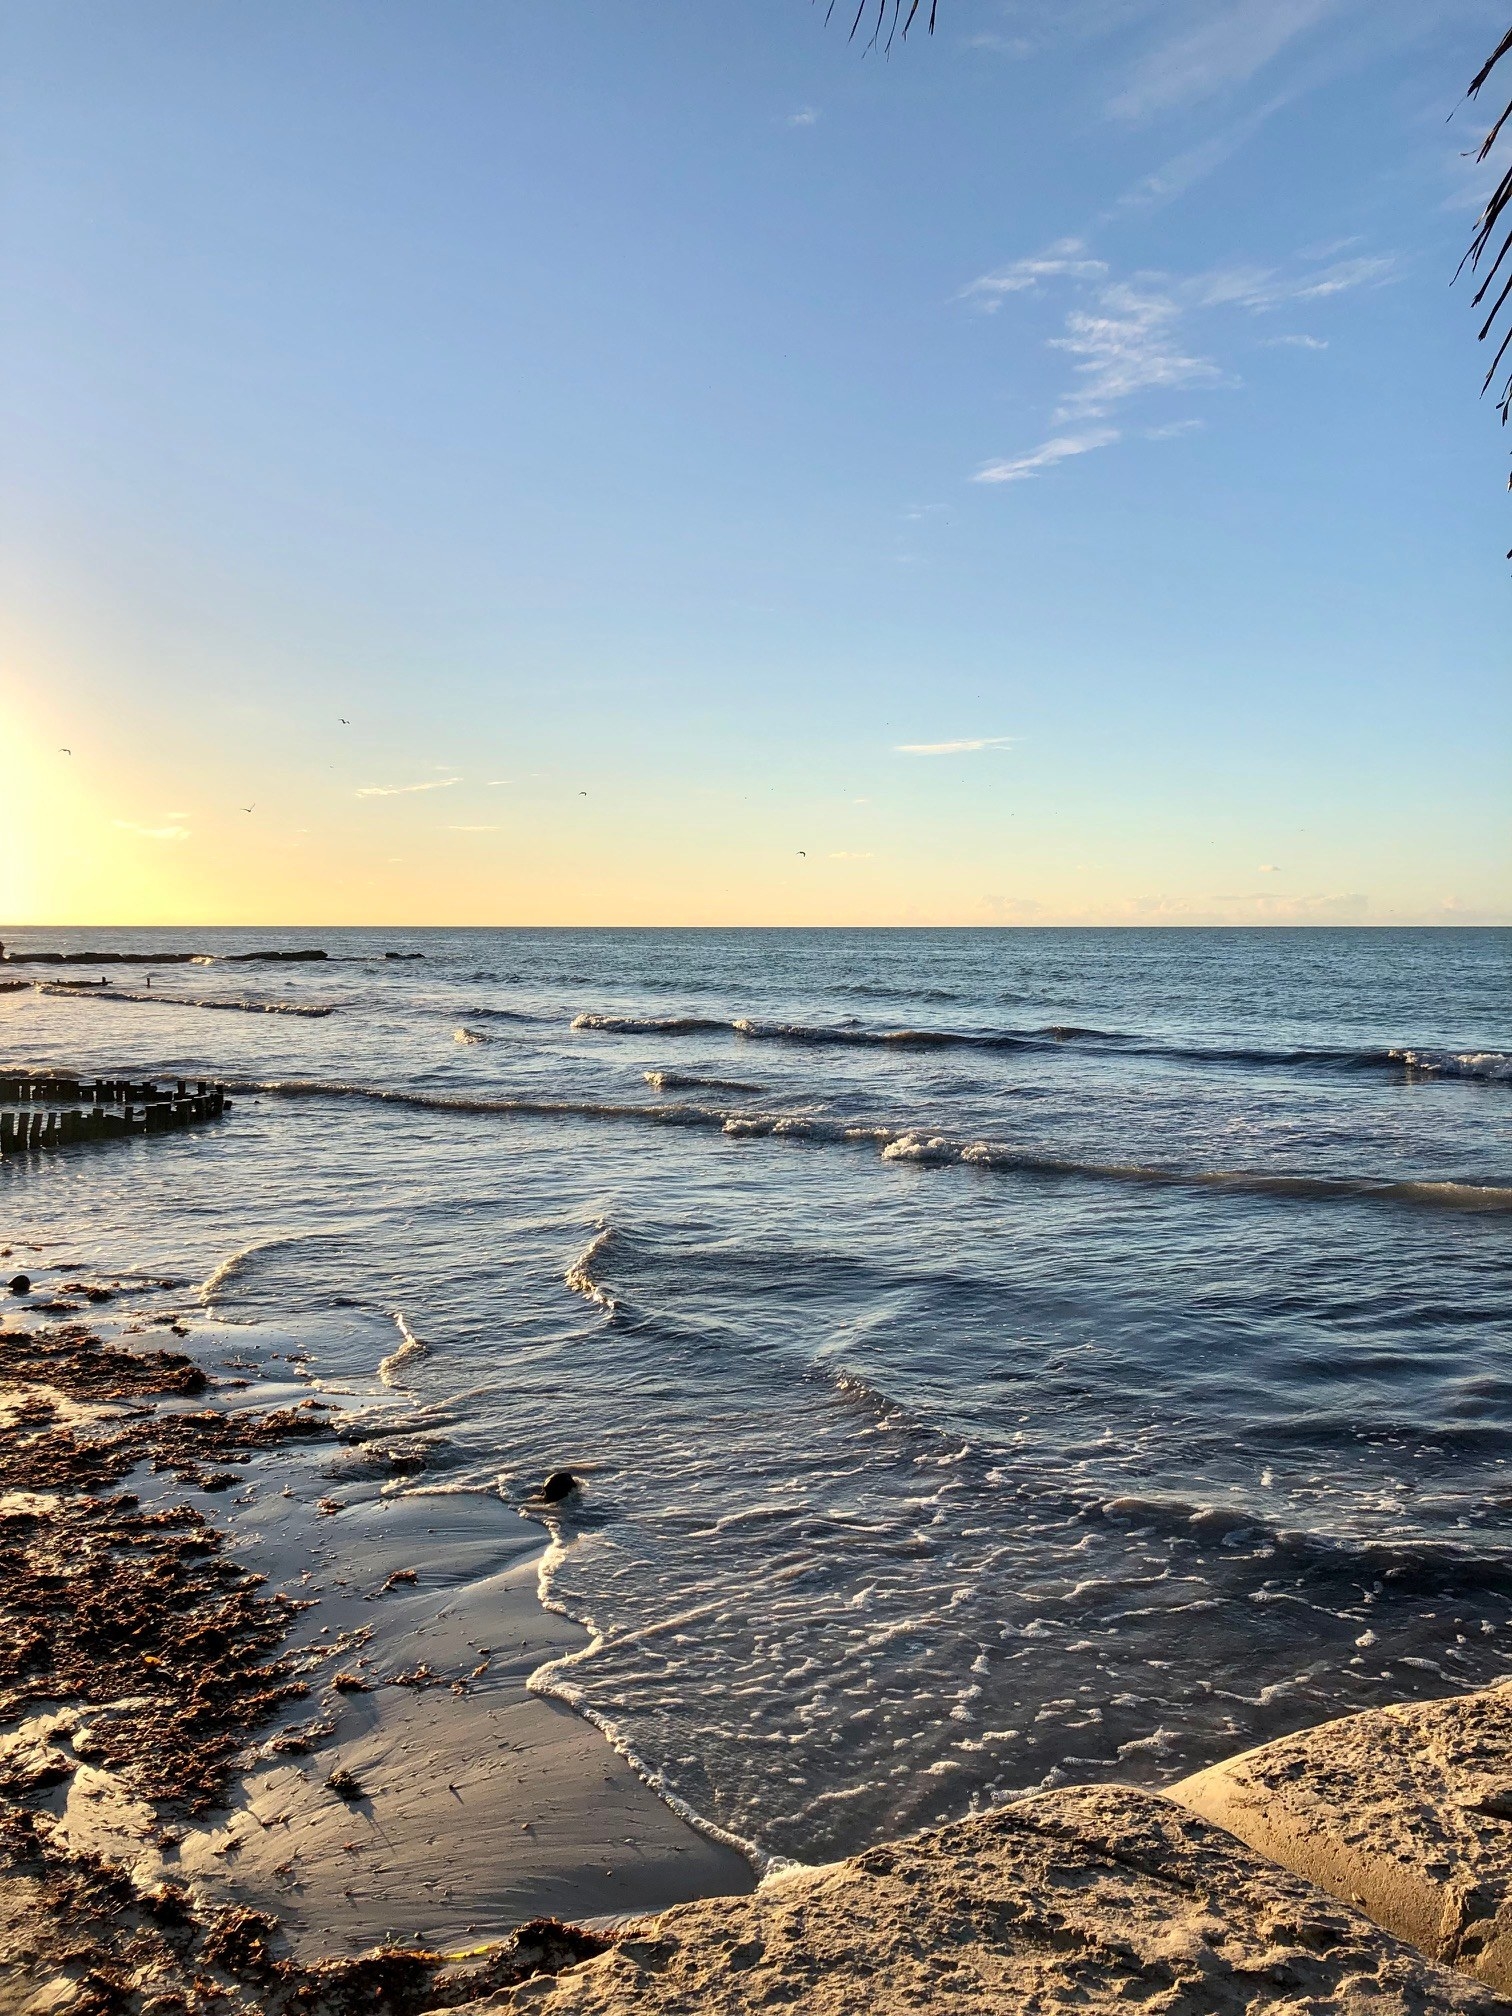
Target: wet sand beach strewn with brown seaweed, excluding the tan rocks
370,1765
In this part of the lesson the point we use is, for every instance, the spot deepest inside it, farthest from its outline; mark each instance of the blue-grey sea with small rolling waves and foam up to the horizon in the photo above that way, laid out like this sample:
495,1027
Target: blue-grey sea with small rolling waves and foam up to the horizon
995,1358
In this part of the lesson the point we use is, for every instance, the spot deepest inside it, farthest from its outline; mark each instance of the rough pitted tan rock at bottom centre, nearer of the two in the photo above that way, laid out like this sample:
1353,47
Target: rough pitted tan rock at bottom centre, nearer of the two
1098,1898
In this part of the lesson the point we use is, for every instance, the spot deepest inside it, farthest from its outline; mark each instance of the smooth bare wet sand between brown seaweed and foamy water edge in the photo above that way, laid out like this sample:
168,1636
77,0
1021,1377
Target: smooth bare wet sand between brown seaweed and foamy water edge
481,1803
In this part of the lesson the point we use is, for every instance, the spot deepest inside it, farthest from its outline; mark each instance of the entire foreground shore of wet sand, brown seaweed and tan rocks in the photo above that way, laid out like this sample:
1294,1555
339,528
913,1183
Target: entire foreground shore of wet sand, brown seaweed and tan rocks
356,1797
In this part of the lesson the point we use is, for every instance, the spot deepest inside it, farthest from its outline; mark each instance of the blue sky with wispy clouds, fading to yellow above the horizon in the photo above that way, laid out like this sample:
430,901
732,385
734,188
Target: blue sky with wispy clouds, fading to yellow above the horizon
582,463
